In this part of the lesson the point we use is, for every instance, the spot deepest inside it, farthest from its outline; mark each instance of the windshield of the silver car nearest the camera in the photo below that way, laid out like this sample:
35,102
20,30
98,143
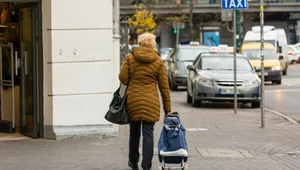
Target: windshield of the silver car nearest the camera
224,63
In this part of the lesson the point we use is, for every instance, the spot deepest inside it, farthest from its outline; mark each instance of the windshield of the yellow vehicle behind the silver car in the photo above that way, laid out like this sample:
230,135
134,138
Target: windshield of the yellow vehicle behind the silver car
255,54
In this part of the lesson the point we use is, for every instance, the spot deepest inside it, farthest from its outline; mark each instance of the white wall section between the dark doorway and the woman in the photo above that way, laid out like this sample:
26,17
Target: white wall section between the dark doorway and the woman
80,65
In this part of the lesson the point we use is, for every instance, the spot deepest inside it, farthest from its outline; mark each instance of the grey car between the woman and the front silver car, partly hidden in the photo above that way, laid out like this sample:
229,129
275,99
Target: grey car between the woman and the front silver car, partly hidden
177,61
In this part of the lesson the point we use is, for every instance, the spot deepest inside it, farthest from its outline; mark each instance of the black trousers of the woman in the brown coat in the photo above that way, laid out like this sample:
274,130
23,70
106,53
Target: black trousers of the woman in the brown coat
148,143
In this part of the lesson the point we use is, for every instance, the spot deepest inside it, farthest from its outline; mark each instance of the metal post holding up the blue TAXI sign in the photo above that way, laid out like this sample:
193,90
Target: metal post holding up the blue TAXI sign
234,61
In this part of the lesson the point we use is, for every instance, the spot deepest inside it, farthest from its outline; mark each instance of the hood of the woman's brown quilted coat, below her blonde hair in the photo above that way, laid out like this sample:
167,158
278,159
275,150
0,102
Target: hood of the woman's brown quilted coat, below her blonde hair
145,55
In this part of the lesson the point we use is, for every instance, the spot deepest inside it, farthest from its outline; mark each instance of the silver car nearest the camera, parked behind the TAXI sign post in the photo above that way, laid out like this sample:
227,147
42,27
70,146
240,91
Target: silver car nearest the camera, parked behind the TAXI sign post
211,78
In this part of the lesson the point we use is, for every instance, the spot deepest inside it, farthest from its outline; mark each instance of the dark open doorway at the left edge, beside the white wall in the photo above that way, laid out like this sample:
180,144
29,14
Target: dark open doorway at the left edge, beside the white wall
21,68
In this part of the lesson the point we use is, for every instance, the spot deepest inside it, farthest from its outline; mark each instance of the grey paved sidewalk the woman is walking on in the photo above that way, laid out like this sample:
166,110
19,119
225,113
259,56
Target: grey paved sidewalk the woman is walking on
217,139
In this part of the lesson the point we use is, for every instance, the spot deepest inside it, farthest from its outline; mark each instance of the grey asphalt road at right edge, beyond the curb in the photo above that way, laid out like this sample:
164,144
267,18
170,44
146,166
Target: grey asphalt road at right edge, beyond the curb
285,98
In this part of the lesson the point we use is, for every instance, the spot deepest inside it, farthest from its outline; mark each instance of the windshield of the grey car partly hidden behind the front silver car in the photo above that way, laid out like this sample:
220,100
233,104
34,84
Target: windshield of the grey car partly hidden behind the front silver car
190,54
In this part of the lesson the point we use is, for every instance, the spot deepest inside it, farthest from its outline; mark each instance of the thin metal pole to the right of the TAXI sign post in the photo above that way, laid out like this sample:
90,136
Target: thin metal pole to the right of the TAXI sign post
262,64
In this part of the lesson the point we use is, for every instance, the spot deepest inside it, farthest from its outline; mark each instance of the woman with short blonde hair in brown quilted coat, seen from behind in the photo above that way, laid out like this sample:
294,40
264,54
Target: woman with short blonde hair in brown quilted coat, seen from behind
142,71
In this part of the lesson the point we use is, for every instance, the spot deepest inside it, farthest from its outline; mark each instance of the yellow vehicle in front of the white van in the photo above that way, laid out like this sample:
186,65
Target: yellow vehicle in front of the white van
272,66
